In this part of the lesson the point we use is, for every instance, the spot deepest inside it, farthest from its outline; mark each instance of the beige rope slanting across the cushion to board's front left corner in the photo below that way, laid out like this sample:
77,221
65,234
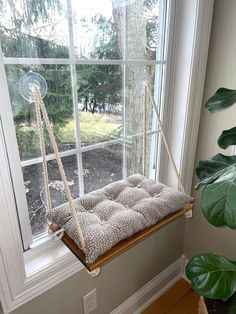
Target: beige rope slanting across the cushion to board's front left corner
40,103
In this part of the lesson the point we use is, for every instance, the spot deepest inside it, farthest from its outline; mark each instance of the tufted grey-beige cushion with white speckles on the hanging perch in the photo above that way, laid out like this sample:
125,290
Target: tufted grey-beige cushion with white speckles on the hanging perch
117,211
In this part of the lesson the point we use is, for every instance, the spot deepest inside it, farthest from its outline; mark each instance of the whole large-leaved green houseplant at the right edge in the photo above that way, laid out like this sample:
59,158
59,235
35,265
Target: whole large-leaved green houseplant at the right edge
212,275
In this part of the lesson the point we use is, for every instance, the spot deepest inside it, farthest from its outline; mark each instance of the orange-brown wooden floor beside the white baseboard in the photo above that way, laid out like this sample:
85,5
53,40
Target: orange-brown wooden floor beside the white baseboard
169,298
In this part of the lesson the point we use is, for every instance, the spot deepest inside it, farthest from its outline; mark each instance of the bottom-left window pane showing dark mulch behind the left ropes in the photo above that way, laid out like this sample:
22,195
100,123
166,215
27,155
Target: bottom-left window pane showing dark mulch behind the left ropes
34,186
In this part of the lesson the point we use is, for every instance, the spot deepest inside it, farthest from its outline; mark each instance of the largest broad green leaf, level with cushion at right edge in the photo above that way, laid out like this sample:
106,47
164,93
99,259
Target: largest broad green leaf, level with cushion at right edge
218,199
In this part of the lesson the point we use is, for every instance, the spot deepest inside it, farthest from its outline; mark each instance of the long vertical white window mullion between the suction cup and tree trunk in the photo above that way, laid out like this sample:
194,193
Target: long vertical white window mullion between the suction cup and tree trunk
75,95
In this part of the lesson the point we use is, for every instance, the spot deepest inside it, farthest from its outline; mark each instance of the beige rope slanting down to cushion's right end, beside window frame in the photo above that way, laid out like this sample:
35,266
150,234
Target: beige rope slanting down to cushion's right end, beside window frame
165,140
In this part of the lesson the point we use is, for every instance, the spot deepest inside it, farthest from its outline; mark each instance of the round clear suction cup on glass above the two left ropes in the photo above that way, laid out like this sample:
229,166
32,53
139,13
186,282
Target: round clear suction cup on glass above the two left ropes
27,81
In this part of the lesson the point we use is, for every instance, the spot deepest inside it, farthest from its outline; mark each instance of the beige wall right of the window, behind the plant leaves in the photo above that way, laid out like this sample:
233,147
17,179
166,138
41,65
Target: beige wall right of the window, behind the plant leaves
221,72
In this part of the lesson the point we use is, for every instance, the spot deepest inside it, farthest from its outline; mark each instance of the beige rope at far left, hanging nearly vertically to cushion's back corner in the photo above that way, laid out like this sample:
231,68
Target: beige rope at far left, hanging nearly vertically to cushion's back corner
43,154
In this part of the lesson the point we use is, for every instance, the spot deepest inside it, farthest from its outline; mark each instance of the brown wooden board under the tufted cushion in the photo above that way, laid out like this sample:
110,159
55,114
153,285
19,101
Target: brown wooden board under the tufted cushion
123,245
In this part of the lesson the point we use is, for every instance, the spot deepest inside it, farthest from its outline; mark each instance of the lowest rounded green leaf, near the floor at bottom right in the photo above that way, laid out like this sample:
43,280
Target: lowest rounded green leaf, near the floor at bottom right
212,275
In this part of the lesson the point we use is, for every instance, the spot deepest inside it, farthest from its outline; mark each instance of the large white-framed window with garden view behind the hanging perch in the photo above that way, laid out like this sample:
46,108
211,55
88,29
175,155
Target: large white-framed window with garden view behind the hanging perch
92,90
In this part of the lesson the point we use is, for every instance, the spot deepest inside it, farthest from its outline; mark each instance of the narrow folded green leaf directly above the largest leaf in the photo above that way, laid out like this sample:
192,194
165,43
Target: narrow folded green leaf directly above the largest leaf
210,170
